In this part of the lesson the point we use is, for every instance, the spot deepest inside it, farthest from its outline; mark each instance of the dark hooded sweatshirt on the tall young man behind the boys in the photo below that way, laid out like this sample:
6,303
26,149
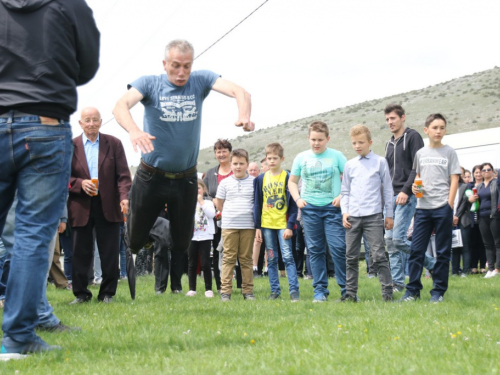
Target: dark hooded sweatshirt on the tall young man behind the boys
400,154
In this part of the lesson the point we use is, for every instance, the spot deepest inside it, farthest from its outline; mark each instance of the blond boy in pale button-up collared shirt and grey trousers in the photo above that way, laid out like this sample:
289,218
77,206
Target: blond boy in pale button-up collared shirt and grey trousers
366,191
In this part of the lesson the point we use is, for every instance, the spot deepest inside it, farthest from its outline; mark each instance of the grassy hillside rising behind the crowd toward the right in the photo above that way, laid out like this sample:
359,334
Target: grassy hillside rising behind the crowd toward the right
469,103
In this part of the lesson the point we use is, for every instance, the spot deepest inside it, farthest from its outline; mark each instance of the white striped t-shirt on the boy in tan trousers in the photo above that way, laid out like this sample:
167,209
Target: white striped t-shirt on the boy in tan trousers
238,202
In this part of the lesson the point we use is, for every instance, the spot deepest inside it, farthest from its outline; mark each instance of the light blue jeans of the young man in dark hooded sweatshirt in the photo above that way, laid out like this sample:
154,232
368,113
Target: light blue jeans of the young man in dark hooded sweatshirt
398,244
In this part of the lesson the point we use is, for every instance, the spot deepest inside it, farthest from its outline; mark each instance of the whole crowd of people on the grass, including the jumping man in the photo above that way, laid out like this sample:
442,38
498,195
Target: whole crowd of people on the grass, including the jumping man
77,193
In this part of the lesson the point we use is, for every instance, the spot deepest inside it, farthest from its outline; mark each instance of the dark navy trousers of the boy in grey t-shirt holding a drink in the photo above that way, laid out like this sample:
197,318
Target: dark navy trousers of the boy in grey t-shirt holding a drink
426,221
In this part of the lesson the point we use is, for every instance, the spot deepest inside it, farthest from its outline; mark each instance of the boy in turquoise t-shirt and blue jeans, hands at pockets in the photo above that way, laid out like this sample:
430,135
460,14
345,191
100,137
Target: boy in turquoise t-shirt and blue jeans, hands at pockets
320,169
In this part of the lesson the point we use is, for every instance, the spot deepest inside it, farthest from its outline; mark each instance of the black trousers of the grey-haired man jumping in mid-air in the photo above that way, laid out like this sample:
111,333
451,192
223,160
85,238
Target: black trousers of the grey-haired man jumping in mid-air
148,196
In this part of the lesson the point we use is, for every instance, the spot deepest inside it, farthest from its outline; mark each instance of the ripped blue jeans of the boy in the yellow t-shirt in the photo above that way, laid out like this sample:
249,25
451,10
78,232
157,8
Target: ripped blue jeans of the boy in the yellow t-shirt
271,238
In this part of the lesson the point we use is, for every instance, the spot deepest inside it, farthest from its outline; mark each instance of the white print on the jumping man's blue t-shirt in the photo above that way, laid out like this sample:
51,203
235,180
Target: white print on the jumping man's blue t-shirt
178,108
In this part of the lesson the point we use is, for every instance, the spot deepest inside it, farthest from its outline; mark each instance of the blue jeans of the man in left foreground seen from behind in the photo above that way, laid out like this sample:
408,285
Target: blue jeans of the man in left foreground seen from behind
35,159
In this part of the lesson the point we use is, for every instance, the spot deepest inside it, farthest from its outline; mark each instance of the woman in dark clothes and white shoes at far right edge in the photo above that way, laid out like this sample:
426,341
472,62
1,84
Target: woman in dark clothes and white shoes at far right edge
489,218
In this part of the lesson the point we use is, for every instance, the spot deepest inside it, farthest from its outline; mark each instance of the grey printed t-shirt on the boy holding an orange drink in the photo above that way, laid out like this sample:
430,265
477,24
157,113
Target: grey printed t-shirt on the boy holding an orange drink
435,166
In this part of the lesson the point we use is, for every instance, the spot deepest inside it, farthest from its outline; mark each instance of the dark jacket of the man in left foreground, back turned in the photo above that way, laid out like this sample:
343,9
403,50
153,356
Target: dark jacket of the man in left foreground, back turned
47,49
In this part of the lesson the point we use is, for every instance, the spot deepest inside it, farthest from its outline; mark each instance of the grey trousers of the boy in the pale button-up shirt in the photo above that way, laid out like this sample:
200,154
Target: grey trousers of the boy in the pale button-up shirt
373,228
